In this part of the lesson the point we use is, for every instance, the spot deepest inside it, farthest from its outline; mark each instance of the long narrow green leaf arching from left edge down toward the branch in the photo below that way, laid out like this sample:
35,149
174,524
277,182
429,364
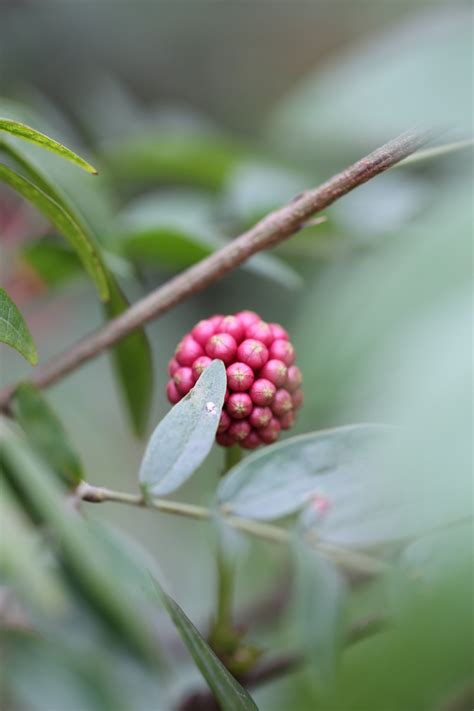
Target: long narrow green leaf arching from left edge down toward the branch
64,223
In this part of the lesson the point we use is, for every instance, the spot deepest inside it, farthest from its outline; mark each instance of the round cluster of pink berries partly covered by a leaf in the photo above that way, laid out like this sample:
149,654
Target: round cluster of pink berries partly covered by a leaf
263,384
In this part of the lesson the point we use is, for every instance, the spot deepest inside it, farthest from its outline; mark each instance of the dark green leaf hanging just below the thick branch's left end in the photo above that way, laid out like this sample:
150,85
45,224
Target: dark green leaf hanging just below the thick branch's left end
46,433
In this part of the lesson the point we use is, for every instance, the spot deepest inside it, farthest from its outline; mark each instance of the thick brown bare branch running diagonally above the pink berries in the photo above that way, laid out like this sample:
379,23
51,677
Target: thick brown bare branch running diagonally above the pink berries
270,231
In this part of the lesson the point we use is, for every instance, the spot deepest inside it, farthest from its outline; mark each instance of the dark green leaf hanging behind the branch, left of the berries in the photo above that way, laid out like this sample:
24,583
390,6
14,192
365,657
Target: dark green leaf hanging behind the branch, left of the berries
133,364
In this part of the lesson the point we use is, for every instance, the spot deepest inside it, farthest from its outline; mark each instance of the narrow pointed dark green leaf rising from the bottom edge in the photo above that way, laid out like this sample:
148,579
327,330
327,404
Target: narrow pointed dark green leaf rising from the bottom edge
228,692
